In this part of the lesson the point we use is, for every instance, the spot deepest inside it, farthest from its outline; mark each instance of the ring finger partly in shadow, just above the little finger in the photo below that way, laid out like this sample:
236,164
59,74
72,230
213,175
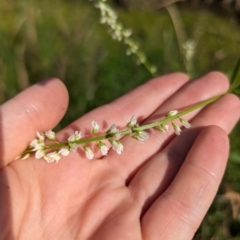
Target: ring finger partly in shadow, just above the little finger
162,168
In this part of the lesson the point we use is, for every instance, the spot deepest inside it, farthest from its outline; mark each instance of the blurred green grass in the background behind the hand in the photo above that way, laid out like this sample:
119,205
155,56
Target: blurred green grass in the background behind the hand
41,39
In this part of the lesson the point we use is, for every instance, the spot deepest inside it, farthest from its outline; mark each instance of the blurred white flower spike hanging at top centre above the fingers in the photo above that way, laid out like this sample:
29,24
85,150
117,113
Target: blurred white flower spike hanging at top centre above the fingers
121,34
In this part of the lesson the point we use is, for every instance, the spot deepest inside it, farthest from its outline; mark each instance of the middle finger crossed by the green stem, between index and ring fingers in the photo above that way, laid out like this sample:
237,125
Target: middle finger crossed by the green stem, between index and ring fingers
134,156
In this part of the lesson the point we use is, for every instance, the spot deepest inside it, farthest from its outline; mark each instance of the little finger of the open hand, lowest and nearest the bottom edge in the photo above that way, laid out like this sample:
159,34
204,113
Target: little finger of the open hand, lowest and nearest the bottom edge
178,212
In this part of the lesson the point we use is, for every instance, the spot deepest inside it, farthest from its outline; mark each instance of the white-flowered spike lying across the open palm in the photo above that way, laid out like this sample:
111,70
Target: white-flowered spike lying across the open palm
53,150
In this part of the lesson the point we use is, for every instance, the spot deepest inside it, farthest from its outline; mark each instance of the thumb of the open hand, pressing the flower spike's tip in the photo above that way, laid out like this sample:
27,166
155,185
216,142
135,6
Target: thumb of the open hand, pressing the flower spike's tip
38,108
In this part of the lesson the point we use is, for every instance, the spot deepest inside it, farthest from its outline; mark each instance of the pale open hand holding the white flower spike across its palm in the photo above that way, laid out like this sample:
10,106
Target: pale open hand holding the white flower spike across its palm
157,190
